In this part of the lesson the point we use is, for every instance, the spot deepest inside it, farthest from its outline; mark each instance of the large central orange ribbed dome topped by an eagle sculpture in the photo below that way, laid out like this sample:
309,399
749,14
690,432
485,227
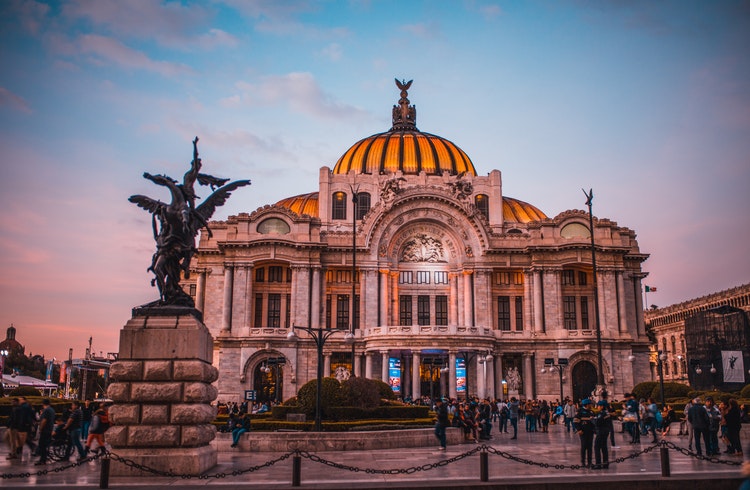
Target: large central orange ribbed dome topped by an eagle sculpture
404,148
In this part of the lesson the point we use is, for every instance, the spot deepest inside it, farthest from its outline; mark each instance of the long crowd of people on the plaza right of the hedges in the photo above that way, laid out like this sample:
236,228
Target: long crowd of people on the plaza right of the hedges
594,422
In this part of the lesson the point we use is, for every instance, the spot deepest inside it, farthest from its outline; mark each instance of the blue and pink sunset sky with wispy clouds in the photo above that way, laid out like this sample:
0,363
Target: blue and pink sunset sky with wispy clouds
645,102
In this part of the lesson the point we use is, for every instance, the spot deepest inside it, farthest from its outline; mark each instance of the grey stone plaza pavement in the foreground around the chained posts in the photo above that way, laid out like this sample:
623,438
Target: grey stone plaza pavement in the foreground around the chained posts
428,467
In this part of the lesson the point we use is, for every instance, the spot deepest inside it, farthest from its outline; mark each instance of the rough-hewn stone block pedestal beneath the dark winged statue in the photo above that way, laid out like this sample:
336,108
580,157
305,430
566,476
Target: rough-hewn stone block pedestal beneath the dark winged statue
162,392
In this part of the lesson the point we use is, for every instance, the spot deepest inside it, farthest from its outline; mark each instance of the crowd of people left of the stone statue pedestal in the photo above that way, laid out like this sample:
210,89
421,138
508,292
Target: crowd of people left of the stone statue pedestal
82,426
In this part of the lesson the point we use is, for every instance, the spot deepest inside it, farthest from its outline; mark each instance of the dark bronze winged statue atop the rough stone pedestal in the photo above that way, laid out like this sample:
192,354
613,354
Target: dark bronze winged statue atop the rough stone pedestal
176,225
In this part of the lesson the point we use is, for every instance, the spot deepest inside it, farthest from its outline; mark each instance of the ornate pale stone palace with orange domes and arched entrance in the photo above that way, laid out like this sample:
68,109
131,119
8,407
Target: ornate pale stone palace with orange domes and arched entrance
448,287
